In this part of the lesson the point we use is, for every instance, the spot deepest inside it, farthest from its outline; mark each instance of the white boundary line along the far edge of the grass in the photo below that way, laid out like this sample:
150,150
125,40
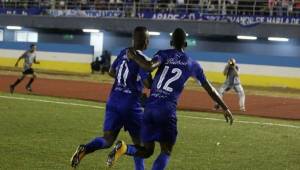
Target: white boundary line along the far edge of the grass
185,116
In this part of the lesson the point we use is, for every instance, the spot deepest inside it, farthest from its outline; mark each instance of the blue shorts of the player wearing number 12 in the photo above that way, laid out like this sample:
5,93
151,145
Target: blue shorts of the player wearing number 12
159,123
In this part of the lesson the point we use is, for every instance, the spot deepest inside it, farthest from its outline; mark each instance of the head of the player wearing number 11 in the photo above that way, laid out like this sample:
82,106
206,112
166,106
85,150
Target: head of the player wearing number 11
140,38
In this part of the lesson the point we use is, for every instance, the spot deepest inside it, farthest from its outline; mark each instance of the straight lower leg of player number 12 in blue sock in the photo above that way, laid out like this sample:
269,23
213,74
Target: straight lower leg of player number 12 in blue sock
162,160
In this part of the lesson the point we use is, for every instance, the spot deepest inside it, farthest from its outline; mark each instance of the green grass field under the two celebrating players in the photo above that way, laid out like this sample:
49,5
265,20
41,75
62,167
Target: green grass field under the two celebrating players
41,133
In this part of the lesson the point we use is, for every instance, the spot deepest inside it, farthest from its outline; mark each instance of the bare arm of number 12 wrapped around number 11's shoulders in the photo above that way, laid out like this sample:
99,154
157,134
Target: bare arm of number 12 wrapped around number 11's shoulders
141,61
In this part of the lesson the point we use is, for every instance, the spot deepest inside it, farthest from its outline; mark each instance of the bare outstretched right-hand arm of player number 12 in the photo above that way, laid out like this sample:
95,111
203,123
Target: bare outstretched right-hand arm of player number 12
216,97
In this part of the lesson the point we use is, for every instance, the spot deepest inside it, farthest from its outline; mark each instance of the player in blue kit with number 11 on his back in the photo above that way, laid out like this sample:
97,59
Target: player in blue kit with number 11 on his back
123,107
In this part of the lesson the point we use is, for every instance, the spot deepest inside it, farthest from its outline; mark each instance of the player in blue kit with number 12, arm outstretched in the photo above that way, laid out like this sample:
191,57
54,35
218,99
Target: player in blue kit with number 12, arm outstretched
159,121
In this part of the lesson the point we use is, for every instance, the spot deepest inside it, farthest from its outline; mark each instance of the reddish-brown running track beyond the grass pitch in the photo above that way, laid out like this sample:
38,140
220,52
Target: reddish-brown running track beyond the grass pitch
273,107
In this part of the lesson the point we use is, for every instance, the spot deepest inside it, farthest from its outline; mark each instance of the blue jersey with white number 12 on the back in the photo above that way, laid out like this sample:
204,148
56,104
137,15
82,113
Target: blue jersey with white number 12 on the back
175,69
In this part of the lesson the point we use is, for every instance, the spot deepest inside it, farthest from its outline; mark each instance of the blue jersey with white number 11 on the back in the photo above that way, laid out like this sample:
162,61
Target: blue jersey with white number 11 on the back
128,84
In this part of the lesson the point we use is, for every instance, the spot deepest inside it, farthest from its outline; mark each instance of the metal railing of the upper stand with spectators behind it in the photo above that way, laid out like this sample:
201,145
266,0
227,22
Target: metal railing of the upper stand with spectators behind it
130,8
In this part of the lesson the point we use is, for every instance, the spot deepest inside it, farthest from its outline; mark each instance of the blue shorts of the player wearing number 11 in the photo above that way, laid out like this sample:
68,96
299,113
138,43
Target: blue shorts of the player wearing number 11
129,118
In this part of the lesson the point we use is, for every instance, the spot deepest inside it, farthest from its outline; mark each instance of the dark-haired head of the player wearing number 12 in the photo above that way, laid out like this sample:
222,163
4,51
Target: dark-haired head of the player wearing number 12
178,40
